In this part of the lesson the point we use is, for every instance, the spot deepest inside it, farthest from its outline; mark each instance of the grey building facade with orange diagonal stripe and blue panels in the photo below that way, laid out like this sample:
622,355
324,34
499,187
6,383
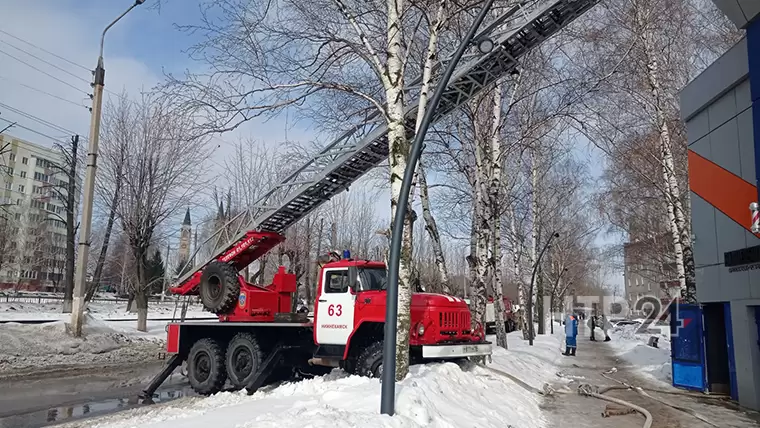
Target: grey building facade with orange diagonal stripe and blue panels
721,108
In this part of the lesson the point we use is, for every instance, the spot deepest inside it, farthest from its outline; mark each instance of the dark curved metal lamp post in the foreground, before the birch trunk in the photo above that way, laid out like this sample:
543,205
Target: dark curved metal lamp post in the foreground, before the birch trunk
388,394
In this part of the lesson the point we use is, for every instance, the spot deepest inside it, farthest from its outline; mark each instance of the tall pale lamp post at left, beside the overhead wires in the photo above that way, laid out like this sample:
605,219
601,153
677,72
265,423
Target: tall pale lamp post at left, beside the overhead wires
80,276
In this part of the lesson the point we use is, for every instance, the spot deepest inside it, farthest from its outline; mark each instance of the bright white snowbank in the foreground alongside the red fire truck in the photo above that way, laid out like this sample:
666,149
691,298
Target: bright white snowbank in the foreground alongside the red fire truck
433,395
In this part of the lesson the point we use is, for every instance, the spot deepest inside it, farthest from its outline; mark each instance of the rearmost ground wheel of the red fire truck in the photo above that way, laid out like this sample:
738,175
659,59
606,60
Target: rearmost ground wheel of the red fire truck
205,367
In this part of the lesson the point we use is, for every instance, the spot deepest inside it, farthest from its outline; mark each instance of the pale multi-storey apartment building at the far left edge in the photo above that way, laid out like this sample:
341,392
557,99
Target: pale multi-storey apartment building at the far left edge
32,215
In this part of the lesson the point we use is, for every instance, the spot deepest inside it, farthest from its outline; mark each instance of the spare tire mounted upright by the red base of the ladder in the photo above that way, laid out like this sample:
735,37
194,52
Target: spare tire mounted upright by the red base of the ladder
219,287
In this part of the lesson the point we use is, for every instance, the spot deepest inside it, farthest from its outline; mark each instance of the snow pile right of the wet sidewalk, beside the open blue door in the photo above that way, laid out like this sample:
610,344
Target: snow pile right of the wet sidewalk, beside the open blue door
631,346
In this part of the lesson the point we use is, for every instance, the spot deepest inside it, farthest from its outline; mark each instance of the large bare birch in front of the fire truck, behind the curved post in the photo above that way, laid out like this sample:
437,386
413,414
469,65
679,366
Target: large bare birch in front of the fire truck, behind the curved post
334,60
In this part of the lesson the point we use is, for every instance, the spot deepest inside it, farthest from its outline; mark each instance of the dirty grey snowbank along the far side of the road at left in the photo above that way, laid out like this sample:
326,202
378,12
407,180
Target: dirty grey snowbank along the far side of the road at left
25,346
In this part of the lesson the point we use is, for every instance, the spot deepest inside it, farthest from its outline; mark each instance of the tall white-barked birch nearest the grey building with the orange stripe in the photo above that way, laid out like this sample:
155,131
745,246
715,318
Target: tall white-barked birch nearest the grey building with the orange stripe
663,44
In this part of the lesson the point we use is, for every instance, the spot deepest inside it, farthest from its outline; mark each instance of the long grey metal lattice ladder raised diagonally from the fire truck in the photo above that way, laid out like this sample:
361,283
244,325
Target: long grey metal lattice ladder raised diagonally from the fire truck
358,150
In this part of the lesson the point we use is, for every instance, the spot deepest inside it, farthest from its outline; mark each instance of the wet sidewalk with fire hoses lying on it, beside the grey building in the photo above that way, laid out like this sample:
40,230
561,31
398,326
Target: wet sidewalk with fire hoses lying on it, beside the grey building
567,408
